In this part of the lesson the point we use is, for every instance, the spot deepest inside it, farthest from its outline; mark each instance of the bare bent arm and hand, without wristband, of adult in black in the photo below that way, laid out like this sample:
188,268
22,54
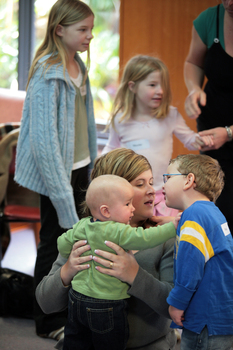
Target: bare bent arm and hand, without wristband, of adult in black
194,76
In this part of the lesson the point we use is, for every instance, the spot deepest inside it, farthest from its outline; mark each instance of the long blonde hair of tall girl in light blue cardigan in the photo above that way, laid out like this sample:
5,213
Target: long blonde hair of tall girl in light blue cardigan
65,13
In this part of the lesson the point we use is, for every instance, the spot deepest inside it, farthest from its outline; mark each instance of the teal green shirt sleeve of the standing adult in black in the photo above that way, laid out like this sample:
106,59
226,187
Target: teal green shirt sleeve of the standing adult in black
206,25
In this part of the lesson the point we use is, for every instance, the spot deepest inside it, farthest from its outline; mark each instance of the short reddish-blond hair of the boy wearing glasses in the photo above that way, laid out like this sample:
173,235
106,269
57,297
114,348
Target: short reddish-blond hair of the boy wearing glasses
209,177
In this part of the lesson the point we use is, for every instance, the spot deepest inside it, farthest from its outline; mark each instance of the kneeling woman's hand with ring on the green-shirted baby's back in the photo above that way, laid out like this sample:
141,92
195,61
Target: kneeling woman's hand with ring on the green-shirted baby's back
121,265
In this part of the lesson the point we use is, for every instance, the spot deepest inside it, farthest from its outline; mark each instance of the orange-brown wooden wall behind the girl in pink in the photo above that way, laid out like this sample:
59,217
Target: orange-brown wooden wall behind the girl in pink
162,28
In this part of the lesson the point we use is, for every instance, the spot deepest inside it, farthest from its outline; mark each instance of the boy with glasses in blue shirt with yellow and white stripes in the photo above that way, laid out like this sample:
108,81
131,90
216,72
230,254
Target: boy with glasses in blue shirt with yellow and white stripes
201,301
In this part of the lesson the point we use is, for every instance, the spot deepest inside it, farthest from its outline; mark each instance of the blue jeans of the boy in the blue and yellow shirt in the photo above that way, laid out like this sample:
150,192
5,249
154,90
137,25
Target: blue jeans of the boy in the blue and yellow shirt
202,341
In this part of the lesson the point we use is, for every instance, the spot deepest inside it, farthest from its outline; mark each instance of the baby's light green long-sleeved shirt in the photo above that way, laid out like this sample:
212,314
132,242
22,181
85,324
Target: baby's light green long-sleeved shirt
92,283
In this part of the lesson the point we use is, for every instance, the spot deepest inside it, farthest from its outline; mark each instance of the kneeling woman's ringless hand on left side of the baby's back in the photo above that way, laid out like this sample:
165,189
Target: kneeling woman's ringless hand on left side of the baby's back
75,261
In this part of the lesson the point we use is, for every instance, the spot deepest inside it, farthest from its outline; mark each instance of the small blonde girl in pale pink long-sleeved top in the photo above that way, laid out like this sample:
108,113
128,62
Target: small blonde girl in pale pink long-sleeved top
143,120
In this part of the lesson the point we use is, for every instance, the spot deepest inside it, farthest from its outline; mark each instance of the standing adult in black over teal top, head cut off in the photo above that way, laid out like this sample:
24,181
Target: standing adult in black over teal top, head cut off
211,56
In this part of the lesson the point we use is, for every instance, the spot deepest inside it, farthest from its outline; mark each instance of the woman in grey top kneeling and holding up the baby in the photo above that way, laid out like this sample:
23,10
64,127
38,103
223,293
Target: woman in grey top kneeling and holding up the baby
149,273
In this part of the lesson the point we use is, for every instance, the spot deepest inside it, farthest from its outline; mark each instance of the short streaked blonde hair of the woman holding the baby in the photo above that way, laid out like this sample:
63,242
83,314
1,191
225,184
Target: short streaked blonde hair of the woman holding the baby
122,162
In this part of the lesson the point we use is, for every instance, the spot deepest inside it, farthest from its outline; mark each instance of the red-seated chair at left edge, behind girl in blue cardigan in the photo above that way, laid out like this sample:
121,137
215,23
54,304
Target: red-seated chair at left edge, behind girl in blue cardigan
17,204
